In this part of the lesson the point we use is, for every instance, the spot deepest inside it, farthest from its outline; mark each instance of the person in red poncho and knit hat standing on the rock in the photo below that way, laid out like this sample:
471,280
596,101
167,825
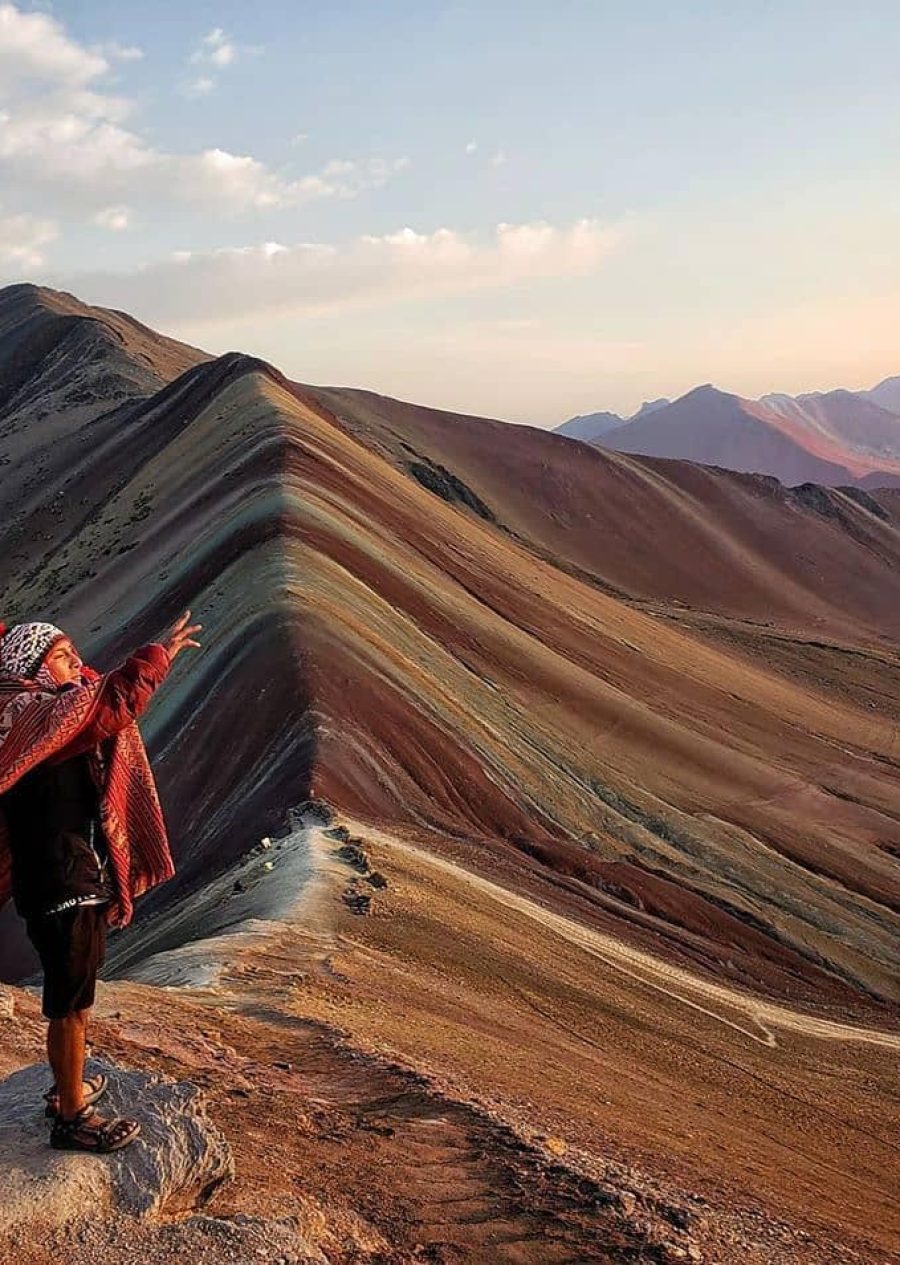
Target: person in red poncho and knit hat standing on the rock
82,836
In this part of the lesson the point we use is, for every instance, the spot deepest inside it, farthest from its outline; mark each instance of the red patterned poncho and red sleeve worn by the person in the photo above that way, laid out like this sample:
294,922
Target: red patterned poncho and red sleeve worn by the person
39,725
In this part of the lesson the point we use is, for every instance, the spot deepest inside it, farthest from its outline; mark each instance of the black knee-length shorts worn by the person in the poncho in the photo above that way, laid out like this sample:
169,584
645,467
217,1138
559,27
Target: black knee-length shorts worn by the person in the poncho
72,947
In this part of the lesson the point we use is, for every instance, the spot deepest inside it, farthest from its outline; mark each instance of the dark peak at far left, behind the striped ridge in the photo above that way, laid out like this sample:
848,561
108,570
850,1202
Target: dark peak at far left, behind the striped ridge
70,379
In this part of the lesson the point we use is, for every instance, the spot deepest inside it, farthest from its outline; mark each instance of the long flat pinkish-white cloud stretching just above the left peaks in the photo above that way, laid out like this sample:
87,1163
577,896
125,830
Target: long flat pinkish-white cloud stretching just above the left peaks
372,271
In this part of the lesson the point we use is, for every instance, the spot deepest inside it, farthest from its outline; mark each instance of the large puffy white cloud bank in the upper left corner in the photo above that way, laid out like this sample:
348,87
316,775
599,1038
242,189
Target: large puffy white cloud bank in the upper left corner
64,135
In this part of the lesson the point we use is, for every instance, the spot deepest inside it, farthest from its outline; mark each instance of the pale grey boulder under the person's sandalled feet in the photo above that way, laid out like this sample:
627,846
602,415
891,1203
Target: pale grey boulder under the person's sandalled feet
178,1161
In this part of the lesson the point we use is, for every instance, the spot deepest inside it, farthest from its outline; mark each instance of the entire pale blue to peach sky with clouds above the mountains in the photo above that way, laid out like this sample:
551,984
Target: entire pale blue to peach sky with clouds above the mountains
525,211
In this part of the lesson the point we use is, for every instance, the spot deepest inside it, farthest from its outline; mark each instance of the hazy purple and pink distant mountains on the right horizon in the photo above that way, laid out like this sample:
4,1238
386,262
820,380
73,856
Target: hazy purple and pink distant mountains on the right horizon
836,438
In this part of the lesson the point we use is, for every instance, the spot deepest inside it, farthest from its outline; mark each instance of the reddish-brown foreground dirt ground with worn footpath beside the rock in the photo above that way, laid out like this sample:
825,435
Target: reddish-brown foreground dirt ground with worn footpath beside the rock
374,1163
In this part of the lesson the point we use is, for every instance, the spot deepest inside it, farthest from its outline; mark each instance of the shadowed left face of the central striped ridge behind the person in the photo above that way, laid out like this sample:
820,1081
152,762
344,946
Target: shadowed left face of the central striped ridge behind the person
179,502
